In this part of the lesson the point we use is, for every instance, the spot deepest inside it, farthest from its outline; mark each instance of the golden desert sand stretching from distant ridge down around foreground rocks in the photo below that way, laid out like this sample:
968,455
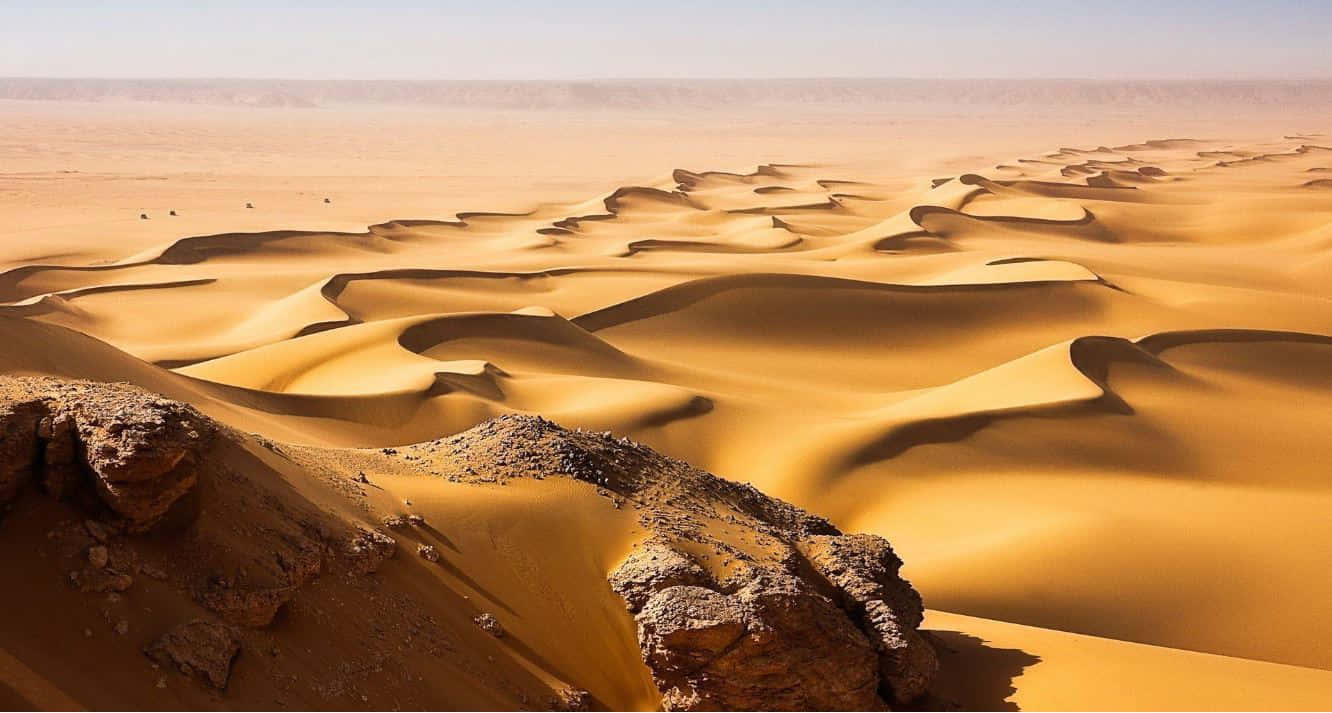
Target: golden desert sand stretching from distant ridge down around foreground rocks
1077,370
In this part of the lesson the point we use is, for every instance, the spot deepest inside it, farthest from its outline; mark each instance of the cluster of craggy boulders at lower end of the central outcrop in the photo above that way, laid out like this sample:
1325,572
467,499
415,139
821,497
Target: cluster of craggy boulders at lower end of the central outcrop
836,630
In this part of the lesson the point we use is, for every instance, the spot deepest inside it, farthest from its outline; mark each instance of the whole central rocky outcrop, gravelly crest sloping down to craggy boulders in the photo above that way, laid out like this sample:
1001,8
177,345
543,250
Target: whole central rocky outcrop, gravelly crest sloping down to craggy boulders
743,602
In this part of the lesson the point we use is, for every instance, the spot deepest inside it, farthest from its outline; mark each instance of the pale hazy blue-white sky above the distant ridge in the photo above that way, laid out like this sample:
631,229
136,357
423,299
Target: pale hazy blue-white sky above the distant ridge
580,39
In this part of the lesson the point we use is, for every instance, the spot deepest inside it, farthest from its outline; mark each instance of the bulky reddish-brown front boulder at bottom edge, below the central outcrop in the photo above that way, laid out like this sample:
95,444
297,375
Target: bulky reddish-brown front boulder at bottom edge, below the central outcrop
773,646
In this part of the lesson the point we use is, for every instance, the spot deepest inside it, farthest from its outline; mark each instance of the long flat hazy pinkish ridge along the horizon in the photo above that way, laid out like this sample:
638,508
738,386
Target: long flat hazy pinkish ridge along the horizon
696,94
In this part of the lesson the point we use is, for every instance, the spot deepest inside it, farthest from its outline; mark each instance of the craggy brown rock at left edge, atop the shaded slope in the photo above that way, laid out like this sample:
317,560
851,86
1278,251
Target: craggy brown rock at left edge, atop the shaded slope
137,452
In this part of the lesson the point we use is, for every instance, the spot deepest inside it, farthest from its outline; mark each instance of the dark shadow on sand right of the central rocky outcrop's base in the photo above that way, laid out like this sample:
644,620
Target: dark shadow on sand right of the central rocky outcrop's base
974,675
